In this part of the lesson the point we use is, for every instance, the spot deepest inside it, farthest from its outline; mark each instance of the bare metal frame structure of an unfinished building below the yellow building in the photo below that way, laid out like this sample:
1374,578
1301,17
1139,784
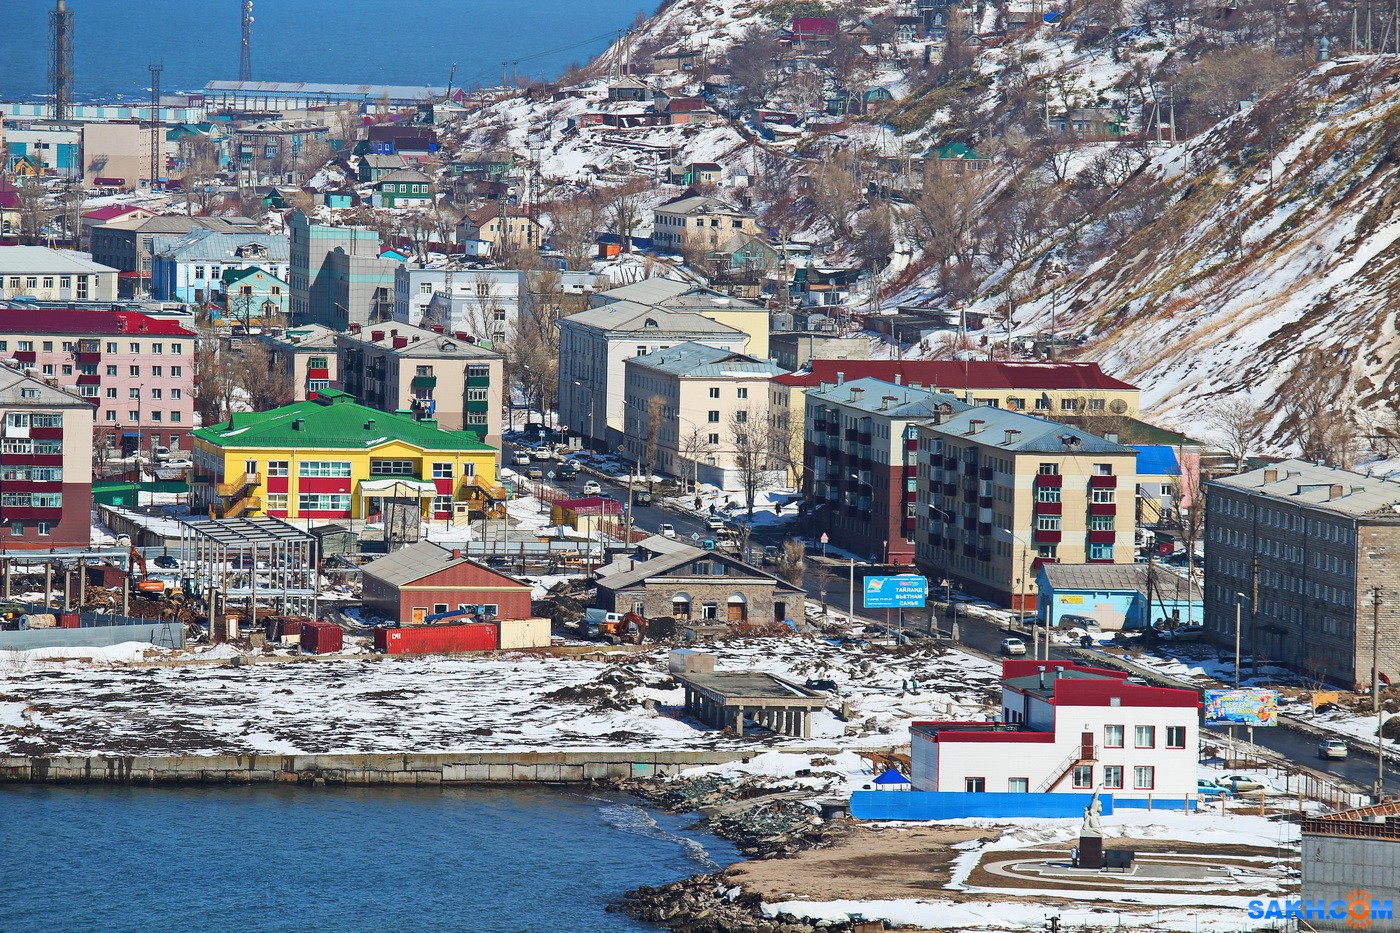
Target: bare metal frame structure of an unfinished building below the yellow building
241,565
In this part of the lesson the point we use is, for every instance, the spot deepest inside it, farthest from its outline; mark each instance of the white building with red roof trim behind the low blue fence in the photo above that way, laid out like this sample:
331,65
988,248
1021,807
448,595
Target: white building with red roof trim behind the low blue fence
1067,728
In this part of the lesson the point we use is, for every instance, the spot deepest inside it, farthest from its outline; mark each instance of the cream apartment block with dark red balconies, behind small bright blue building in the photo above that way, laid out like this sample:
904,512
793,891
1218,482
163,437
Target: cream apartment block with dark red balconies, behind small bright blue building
1000,494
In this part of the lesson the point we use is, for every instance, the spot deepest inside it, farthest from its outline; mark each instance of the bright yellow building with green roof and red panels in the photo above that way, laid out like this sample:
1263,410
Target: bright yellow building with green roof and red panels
334,459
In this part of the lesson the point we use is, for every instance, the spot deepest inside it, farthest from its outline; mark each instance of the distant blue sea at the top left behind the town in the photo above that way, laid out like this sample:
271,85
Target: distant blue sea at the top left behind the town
339,41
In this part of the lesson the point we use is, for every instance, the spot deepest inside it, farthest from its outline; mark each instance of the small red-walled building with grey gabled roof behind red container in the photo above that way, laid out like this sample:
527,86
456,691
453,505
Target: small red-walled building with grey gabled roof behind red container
423,579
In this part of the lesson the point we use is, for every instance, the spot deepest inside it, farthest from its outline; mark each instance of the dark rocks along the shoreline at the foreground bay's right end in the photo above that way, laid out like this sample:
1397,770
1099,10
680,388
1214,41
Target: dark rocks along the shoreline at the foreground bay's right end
764,823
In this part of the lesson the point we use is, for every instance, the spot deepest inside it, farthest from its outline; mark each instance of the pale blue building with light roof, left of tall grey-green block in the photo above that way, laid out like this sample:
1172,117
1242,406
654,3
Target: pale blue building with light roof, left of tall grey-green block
192,268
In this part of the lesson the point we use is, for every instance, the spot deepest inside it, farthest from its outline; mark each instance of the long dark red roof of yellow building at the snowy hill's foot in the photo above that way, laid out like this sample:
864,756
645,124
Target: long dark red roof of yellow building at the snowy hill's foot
962,375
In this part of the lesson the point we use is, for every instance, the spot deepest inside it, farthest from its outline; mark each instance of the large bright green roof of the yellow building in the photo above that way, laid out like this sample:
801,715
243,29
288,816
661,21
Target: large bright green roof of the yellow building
334,420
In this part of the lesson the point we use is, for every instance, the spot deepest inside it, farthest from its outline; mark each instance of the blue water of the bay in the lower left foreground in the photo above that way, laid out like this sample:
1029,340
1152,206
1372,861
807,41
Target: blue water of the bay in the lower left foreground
481,861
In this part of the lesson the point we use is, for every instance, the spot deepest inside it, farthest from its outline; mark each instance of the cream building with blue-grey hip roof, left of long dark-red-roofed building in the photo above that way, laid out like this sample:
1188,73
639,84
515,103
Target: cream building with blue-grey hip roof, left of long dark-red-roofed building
696,401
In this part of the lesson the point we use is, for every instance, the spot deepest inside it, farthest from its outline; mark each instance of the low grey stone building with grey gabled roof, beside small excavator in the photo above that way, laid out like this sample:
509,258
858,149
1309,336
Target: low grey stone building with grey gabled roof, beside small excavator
667,578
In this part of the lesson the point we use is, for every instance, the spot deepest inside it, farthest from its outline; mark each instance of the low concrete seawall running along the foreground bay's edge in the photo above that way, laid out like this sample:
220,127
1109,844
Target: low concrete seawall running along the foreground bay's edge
446,768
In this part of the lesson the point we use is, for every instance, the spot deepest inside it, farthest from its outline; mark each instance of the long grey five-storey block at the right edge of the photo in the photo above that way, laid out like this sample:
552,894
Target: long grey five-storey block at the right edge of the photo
1305,560
